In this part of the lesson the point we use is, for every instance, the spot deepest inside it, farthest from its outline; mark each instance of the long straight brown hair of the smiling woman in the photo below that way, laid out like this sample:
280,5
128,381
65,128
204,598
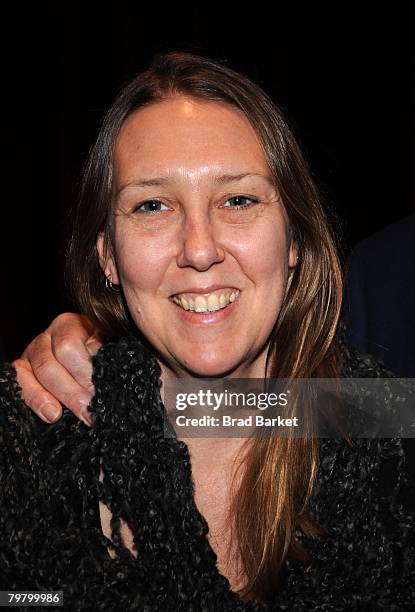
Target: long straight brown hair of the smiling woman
277,478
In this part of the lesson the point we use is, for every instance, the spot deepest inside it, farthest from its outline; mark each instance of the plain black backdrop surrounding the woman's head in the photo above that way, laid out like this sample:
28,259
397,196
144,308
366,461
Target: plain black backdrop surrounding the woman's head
343,75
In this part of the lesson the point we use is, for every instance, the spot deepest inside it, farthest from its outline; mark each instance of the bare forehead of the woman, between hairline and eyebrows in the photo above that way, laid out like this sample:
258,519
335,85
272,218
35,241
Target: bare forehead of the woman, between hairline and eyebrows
189,137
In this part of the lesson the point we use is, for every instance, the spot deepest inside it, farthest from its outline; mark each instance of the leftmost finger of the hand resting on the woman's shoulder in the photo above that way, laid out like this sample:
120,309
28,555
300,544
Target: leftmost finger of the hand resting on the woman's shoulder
40,401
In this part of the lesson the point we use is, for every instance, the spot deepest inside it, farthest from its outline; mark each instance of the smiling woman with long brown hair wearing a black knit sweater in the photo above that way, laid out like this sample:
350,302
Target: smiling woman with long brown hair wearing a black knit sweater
200,249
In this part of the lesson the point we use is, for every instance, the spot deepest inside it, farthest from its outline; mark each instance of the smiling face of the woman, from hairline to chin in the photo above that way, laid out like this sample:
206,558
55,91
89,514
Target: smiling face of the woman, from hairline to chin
198,225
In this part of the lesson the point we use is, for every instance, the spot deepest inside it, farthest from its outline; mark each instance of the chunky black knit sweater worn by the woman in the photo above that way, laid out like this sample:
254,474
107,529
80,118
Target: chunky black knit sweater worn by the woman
50,530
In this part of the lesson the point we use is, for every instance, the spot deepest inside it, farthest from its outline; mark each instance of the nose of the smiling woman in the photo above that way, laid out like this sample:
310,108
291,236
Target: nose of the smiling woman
199,248
